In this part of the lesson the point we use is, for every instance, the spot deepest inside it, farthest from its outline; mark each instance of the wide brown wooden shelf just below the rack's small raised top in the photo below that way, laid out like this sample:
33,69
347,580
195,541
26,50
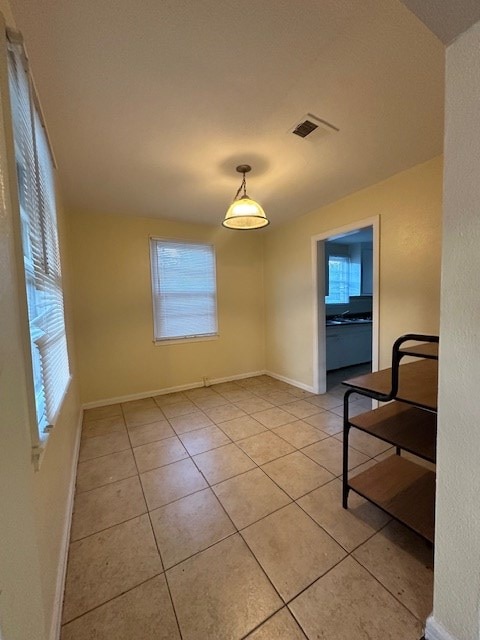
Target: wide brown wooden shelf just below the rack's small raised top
418,383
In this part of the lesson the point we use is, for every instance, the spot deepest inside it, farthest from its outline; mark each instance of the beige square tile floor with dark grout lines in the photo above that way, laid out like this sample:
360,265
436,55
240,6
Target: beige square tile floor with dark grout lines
215,514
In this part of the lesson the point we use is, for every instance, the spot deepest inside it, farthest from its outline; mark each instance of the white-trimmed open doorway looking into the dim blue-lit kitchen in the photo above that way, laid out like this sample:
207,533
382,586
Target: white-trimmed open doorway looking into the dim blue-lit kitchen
345,268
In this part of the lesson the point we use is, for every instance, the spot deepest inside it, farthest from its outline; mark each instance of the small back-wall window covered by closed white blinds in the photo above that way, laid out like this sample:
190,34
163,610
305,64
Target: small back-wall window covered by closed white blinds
184,289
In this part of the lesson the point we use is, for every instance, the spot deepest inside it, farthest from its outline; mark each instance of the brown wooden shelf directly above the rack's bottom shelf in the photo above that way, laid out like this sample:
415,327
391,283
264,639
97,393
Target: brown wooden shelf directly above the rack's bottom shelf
402,425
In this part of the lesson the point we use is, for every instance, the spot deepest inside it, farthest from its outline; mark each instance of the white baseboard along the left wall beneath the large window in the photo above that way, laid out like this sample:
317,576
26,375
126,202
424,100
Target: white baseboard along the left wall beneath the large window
56,623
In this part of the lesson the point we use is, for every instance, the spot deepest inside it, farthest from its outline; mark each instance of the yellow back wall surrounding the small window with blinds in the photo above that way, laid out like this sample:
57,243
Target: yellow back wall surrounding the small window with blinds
113,307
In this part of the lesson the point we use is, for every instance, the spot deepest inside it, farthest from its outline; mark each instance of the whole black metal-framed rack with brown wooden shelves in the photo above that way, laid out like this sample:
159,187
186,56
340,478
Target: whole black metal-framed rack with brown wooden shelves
402,488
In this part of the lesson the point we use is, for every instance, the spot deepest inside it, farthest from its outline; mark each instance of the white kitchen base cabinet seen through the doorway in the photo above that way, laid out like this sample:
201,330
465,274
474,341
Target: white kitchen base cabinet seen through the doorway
348,344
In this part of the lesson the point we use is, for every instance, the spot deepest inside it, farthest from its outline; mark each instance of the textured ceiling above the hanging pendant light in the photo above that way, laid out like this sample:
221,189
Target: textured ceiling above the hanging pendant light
151,105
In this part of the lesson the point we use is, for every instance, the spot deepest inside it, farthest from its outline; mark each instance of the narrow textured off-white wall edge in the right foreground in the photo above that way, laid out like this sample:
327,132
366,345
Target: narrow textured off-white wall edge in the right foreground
456,612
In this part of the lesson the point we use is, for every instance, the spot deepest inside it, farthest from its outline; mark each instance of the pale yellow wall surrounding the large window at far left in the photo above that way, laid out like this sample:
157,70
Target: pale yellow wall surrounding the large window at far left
33,504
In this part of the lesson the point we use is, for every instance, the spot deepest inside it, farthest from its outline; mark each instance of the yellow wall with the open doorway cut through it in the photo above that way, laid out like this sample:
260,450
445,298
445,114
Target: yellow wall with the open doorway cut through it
409,205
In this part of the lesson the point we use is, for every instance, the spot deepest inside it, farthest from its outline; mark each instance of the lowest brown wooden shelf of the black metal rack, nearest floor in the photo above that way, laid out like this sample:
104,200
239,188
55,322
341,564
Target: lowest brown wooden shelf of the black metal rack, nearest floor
403,489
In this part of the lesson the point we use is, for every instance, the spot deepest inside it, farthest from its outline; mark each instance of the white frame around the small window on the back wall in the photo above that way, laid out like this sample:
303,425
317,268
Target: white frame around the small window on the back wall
162,341
